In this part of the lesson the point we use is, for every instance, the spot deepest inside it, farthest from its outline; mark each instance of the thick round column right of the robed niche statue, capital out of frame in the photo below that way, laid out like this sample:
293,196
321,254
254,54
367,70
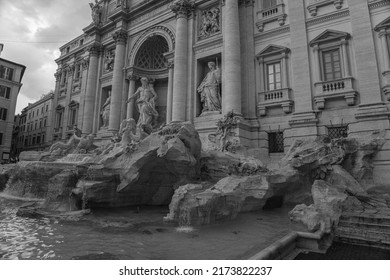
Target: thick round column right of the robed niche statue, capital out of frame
231,95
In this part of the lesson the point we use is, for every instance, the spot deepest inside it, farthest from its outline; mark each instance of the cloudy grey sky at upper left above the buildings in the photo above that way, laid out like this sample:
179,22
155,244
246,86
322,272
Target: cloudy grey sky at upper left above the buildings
32,32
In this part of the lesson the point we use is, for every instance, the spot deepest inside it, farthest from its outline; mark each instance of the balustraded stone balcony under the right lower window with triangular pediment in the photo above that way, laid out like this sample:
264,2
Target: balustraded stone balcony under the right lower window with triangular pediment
334,89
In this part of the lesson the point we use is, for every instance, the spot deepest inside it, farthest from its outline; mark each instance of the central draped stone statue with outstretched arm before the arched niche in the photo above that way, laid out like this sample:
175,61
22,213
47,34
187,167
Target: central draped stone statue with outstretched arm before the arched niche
145,103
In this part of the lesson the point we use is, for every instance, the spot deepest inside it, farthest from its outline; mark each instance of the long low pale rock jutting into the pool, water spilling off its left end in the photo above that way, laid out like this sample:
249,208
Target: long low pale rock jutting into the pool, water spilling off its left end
199,205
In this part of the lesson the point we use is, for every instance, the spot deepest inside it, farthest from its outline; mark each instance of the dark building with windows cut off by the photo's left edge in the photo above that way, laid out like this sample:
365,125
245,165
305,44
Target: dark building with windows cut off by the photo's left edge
11,75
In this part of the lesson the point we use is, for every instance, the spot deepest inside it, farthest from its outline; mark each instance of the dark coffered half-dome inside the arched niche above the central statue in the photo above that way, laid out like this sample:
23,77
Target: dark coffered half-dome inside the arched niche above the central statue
151,54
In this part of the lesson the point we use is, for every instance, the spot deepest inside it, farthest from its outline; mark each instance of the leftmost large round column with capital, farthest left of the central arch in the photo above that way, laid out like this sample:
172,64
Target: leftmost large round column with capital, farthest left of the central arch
90,94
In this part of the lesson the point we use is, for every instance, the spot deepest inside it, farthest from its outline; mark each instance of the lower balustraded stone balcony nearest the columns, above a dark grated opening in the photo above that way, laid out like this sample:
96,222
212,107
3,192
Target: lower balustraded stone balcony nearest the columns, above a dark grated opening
275,98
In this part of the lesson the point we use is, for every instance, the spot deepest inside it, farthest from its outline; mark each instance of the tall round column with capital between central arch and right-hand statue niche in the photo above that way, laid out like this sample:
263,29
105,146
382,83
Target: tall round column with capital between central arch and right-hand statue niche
182,9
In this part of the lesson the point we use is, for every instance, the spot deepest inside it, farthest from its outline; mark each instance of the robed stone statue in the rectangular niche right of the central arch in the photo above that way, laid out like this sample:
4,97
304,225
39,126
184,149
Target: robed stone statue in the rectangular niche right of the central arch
209,90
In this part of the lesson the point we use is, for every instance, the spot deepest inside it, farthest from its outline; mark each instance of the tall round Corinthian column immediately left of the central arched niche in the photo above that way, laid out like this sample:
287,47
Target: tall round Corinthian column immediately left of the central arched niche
120,38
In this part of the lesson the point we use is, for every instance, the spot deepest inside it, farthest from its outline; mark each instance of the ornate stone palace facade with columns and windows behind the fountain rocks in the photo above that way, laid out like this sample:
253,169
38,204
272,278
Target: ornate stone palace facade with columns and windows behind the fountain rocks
290,69
